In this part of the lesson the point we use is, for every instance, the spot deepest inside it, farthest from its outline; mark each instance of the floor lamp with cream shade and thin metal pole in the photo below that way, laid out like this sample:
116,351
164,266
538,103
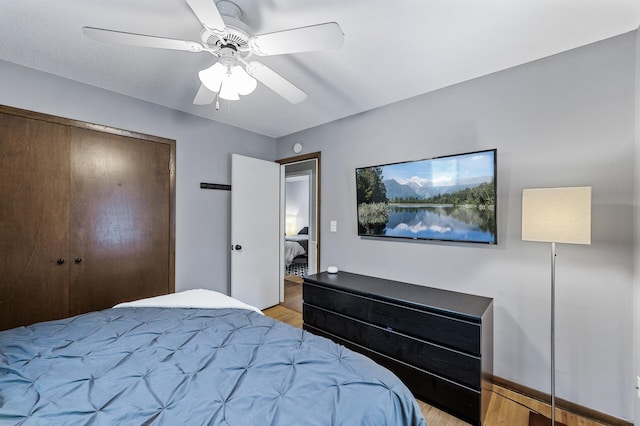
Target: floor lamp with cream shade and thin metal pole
555,215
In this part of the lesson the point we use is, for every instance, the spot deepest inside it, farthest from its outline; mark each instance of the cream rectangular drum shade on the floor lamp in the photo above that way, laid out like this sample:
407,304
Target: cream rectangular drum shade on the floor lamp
557,215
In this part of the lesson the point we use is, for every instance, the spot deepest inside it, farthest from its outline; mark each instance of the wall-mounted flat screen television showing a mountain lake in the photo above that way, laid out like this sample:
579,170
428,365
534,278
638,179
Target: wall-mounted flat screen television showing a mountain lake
451,198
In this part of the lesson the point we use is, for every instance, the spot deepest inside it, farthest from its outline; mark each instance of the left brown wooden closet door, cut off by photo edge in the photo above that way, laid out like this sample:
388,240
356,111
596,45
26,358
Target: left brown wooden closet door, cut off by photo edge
34,220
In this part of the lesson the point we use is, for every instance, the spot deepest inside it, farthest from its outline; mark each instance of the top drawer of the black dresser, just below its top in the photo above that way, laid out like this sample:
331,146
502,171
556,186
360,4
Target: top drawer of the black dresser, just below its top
454,333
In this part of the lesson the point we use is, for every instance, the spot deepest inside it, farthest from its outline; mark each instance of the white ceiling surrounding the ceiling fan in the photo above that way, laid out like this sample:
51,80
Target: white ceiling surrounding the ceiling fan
393,50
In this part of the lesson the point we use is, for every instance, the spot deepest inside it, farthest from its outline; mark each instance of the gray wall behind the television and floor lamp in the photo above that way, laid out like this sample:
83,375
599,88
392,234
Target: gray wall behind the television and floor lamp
567,120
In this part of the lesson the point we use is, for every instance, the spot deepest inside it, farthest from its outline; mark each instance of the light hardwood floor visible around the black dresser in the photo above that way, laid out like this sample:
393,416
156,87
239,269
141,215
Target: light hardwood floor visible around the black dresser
506,408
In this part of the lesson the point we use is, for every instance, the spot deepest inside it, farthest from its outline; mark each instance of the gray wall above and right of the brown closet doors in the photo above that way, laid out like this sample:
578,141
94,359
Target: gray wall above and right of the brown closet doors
203,151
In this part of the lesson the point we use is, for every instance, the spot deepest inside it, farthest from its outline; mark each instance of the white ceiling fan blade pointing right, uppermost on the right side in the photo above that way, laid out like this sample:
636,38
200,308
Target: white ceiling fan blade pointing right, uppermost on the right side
304,39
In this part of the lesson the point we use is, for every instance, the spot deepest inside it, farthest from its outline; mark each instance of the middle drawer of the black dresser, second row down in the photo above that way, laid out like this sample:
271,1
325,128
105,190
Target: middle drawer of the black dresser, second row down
454,365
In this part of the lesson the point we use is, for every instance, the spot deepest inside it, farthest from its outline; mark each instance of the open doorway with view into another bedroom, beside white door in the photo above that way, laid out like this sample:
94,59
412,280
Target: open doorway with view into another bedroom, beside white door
300,210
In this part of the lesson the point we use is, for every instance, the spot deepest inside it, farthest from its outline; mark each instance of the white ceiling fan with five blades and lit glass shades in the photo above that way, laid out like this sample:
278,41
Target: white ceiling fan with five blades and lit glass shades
230,40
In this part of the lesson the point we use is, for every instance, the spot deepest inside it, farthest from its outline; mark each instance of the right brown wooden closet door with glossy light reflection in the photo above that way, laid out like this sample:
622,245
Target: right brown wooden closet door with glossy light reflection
120,213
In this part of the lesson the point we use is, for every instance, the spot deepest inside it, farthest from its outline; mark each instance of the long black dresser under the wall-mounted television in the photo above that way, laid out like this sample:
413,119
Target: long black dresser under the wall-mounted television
438,342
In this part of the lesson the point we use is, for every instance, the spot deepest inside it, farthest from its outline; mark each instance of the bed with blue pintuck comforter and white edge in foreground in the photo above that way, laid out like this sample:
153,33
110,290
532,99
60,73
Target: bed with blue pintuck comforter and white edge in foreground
196,357
